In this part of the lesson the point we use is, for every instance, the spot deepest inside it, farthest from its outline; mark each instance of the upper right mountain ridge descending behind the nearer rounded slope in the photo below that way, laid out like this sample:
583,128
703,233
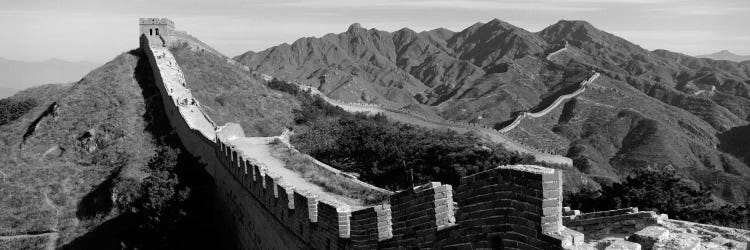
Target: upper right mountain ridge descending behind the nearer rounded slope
673,78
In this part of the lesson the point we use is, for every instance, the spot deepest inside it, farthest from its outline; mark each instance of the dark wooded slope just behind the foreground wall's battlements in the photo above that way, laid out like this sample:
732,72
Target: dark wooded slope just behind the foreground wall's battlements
385,153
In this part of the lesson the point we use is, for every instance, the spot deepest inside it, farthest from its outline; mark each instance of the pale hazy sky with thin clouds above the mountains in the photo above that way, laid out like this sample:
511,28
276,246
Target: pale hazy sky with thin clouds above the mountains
98,30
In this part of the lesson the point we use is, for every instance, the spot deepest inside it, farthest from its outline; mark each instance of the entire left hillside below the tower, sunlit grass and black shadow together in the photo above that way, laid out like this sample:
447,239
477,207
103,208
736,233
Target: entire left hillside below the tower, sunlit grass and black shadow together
93,165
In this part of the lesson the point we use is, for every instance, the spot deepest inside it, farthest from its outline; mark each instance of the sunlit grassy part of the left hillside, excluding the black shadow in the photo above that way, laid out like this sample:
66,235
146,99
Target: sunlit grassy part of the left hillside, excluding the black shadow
107,101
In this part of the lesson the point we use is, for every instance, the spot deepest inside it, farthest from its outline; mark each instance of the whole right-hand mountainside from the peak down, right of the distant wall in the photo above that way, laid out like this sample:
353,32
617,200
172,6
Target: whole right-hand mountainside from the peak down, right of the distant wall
680,129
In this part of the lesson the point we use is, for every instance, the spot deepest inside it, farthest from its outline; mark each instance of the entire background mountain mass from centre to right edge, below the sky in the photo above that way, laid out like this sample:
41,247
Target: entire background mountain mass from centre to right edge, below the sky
655,109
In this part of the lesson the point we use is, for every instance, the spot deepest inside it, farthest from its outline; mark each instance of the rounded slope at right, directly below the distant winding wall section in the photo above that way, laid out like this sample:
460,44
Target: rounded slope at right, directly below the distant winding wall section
617,129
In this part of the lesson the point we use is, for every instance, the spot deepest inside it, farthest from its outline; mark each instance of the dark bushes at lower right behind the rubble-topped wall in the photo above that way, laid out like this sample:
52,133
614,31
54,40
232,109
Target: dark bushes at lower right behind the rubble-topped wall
663,192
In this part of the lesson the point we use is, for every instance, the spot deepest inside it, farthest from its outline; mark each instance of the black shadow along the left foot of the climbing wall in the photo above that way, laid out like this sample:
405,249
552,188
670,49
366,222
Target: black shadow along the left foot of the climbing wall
187,224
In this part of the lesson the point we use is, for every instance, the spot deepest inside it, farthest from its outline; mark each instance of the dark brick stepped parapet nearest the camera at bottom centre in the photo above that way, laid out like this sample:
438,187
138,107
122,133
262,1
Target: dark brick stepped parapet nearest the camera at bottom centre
509,207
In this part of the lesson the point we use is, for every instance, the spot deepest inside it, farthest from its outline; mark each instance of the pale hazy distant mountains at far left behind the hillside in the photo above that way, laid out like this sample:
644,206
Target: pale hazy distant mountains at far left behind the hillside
19,75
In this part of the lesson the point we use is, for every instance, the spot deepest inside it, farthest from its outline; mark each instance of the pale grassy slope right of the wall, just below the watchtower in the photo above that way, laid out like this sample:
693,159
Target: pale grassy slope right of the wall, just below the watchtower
230,94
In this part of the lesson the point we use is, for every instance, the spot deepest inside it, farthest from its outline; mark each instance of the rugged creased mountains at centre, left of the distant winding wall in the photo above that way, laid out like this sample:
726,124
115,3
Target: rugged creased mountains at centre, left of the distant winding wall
421,71
